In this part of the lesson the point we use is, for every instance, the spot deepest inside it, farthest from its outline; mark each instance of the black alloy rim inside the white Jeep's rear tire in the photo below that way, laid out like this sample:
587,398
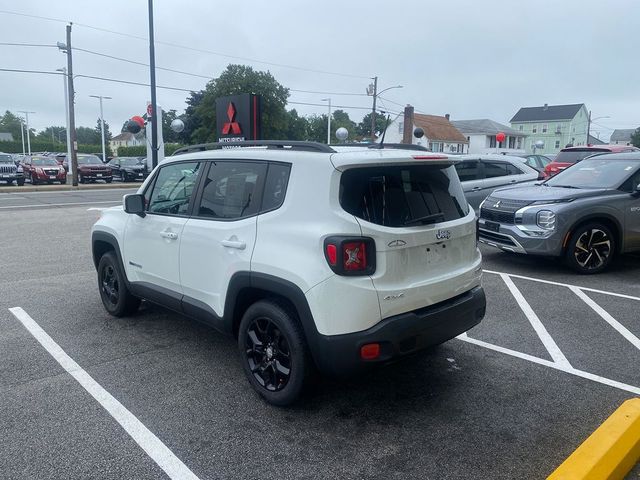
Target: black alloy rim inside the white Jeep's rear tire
268,354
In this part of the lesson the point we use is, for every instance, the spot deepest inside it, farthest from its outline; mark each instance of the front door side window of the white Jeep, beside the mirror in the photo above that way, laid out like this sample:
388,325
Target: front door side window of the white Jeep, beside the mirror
172,189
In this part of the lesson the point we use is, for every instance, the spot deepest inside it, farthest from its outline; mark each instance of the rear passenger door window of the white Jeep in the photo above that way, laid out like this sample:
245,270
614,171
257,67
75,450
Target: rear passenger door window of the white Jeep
232,190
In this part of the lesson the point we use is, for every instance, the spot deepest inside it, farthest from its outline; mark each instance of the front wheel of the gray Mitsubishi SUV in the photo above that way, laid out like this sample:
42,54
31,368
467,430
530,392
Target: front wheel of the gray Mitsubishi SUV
591,248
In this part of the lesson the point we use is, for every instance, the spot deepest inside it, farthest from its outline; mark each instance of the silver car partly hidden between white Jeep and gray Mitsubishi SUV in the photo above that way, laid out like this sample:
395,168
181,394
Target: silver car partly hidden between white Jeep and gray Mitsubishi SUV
482,174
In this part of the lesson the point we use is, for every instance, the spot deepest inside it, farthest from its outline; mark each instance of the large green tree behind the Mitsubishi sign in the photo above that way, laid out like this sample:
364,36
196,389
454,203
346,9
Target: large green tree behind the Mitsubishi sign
237,79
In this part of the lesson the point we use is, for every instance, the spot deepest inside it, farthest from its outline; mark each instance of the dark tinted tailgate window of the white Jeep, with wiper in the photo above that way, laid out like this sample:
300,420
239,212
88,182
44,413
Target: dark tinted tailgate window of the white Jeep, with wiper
399,196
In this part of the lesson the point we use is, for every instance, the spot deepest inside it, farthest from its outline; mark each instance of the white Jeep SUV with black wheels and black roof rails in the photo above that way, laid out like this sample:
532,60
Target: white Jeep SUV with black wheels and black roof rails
338,258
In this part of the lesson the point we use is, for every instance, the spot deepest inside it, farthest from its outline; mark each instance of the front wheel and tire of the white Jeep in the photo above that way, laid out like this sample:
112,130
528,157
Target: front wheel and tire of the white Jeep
116,297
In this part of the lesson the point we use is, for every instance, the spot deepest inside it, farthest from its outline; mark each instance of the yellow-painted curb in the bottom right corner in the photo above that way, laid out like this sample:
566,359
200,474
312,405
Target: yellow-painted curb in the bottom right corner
610,452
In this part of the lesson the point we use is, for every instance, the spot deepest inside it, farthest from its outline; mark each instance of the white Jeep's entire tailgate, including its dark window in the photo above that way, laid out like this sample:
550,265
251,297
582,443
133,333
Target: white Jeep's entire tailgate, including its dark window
423,230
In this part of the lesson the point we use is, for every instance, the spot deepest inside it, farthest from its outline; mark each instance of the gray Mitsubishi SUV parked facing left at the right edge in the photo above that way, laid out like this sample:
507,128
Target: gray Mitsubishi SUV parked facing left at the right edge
586,214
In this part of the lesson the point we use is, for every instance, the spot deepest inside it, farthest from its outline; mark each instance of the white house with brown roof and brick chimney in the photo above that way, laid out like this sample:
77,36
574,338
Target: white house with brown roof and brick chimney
439,134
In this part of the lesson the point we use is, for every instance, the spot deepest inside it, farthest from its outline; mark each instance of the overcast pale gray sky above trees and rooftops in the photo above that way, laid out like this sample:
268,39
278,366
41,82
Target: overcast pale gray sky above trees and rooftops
469,58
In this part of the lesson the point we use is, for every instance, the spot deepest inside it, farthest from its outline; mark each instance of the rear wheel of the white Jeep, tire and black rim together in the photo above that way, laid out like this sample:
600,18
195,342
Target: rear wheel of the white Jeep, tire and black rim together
274,352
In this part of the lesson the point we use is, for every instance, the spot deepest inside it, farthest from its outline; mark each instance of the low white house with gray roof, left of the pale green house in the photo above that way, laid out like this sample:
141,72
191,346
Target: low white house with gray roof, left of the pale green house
481,135
